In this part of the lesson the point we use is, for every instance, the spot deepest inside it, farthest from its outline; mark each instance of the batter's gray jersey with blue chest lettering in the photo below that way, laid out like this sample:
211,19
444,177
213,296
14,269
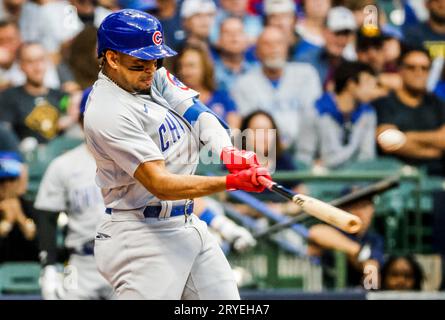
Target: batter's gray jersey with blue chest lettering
123,130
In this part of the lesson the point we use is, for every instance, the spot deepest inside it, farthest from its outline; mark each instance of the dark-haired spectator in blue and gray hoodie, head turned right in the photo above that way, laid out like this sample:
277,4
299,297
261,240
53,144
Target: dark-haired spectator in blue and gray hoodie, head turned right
346,122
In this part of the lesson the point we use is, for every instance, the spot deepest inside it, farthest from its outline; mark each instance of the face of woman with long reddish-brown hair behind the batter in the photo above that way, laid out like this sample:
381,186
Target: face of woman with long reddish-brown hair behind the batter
191,69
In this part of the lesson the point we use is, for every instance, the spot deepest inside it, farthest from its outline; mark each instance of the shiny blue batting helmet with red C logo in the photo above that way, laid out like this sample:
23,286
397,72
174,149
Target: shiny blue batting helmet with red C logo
135,33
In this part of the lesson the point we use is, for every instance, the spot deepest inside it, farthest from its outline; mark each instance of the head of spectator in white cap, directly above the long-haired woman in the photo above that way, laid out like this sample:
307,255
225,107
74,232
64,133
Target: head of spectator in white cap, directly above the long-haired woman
198,17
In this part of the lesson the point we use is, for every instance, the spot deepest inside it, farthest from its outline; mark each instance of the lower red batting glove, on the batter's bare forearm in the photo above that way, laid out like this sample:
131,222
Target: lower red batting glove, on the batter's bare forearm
247,180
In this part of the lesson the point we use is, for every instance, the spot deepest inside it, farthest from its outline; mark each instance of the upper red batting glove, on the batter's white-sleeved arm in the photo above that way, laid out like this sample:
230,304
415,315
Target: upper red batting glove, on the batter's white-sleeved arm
236,160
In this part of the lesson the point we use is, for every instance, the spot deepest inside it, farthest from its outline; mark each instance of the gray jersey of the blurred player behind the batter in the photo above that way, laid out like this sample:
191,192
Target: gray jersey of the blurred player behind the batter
68,185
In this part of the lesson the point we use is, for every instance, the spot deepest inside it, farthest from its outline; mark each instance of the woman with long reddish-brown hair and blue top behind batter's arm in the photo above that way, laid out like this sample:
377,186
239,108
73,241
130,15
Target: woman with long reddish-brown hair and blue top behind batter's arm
194,67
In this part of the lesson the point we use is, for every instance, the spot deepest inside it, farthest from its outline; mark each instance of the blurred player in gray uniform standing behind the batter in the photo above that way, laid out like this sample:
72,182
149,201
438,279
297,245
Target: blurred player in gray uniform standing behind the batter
68,186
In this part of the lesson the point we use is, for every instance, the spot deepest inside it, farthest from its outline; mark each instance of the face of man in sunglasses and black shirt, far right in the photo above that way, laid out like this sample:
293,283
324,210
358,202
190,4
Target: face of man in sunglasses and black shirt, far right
414,71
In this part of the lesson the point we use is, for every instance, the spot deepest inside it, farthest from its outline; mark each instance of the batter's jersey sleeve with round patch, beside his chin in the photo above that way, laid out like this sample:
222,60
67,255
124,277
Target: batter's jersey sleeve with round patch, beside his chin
171,89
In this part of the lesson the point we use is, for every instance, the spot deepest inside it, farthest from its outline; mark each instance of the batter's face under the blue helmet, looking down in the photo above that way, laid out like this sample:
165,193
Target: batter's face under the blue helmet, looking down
135,75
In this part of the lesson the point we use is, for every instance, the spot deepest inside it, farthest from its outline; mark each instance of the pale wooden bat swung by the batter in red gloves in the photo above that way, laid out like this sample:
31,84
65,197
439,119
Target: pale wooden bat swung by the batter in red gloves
319,209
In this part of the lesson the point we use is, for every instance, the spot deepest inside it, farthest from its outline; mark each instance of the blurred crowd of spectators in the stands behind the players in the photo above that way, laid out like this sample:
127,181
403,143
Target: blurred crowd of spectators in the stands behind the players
341,82
